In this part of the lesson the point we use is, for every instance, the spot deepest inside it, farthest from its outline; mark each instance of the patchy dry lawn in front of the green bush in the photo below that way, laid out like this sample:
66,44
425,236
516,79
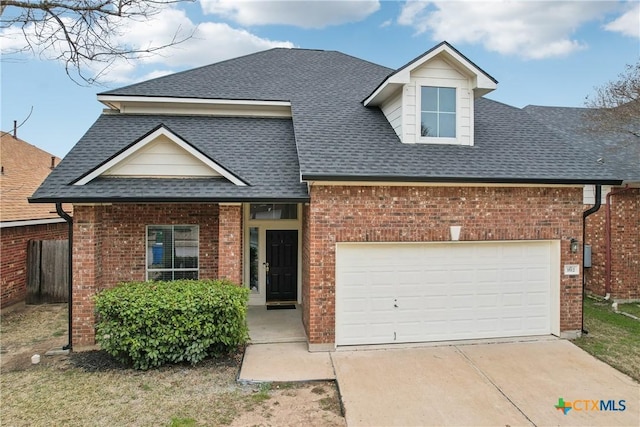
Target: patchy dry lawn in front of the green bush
90,389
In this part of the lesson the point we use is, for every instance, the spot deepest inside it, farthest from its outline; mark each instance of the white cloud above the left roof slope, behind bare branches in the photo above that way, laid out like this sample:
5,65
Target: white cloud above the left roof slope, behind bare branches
211,42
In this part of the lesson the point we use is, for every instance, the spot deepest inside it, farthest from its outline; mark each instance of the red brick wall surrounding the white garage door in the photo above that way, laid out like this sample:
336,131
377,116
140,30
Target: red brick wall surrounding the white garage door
423,214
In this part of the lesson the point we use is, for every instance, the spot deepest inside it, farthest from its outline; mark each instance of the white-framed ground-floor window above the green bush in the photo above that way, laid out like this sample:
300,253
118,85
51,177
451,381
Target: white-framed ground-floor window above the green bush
172,252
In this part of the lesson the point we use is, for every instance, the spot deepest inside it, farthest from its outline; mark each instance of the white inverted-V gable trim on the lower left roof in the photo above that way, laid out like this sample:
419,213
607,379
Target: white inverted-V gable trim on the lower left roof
136,147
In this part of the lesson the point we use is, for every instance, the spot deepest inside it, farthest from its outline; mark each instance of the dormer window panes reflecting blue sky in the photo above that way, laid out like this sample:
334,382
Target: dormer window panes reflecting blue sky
437,112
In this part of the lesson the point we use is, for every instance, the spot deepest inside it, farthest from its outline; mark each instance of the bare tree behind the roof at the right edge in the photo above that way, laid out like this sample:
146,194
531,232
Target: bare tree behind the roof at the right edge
615,106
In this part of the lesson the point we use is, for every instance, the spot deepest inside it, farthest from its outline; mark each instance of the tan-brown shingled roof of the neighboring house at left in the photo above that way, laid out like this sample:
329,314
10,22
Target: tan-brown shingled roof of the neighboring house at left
24,167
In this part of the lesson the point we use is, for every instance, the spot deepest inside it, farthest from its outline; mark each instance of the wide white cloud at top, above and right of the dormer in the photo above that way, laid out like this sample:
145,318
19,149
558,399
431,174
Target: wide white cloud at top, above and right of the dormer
529,29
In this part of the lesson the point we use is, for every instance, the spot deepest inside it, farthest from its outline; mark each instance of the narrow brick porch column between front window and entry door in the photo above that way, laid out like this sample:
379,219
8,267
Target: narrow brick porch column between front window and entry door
230,241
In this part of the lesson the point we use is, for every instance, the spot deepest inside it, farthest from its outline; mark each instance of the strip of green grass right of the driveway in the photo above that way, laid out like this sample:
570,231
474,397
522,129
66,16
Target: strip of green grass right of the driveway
612,338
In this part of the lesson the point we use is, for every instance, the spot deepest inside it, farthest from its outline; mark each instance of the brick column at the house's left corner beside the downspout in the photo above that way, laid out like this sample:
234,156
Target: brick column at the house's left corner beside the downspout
87,244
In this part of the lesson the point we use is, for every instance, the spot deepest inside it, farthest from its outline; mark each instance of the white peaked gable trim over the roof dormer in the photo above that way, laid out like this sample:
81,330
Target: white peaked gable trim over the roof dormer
481,80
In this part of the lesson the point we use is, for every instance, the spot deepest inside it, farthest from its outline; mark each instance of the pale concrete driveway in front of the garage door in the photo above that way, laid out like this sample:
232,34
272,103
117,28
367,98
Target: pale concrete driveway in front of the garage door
504,384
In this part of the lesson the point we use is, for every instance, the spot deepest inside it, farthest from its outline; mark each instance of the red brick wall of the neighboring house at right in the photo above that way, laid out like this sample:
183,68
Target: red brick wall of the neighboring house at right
625,247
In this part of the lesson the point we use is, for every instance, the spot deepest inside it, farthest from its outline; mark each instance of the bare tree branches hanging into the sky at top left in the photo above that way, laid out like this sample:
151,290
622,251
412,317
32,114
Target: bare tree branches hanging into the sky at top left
82,33
